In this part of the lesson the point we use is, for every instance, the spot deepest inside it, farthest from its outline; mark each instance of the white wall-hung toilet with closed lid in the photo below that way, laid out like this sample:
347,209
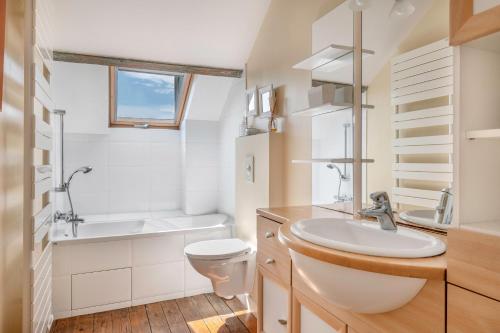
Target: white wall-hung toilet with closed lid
228,263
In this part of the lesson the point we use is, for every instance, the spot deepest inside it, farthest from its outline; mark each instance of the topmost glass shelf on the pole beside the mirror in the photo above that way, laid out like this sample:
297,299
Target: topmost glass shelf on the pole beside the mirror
330,58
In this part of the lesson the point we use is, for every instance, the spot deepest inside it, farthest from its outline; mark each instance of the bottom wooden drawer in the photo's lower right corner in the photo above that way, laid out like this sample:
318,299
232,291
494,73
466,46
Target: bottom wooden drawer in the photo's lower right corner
471,312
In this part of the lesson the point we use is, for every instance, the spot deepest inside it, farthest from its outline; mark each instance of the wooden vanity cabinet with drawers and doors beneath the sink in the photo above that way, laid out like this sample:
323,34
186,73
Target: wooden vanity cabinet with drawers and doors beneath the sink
279,284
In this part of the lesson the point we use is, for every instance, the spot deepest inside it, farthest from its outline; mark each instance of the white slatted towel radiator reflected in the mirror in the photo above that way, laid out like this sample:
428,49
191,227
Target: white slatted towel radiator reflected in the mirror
422,74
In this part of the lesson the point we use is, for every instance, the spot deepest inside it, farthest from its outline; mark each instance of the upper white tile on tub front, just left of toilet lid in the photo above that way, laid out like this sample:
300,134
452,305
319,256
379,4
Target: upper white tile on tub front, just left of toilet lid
156,250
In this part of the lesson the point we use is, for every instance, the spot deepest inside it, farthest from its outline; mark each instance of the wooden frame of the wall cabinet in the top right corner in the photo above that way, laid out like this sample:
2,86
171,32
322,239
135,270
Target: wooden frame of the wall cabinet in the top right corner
465,26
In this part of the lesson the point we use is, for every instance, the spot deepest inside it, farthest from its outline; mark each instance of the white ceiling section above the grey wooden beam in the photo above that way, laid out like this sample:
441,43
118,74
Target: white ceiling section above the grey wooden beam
216,33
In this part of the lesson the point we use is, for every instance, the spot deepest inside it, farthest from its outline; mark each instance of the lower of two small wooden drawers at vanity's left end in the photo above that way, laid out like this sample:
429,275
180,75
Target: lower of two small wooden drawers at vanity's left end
276,262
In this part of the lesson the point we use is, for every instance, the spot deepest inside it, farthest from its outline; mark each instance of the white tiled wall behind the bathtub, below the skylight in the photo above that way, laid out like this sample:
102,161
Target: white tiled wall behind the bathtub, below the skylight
133,170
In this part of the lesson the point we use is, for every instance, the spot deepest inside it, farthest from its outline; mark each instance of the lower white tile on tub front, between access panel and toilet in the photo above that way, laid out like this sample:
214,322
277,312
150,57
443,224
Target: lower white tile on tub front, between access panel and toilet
162,279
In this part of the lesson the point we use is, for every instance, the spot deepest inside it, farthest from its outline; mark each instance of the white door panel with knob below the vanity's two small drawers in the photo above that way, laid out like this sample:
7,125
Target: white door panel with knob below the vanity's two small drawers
274,307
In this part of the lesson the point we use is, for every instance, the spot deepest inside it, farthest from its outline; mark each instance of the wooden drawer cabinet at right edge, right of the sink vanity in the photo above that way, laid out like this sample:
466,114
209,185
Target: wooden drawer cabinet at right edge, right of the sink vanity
473,300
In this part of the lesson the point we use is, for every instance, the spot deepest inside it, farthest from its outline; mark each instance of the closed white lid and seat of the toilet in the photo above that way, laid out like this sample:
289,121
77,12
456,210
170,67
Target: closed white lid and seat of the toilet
217,249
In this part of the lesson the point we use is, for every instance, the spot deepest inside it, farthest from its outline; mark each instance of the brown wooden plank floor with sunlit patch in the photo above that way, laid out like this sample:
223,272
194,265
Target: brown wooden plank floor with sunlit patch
198,314
